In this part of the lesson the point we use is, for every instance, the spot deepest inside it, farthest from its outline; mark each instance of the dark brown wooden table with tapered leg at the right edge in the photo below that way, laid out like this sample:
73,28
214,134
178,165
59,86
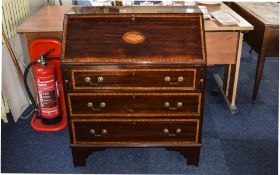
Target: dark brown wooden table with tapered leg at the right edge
264,39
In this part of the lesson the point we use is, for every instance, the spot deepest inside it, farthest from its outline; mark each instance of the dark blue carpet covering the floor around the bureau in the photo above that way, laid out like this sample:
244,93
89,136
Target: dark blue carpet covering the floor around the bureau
246,143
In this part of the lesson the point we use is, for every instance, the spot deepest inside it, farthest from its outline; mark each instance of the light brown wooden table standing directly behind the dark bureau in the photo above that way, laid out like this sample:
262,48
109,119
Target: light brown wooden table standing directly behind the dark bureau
224,43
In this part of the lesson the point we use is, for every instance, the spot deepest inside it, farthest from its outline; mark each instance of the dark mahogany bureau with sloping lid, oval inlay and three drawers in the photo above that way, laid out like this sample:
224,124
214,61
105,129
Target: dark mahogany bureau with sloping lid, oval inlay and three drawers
134,77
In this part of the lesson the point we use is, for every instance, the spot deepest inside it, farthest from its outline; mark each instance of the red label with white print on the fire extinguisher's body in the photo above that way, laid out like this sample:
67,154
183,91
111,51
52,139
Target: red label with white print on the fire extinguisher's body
47,90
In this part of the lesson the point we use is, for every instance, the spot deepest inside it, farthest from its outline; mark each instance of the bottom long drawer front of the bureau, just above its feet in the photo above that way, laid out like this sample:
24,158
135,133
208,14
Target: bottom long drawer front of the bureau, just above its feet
139,131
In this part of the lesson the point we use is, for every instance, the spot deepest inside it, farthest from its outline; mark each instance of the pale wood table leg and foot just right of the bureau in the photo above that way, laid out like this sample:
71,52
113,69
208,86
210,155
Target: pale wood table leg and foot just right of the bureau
228,88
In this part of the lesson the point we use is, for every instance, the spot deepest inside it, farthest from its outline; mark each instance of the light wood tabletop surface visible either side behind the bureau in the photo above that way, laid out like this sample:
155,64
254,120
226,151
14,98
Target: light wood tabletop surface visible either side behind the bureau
50,19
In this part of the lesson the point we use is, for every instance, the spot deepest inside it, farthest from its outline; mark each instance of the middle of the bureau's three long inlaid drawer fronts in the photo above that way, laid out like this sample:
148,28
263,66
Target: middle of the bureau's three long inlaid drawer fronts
134,104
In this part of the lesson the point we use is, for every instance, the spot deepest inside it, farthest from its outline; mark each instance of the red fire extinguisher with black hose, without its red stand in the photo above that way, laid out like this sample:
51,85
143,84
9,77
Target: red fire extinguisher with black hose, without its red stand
48,107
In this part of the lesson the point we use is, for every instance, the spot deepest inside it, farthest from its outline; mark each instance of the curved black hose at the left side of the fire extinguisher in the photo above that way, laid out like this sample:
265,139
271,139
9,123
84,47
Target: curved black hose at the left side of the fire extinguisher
26,71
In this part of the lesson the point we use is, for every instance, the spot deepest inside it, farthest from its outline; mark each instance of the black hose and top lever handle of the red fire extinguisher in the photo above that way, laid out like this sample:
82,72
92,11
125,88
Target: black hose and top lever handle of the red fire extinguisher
42,58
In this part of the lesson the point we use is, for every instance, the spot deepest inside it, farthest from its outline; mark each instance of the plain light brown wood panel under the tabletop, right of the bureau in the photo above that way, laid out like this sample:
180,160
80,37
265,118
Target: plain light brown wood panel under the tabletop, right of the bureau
222,47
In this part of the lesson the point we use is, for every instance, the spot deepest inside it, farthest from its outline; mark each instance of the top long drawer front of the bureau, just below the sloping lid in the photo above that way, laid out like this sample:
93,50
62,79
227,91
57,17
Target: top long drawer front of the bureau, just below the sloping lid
149,79
